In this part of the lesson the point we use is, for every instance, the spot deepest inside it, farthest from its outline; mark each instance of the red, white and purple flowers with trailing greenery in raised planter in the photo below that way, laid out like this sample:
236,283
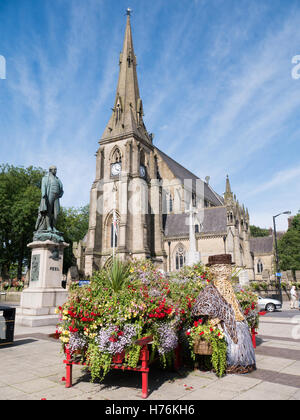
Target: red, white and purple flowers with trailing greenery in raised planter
104,319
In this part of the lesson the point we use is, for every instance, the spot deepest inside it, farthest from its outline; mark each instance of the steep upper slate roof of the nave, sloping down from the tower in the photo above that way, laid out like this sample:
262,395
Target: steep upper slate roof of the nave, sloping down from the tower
182,173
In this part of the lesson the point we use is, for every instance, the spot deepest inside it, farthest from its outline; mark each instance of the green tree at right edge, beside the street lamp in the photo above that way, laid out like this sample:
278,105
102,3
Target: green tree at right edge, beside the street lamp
289,247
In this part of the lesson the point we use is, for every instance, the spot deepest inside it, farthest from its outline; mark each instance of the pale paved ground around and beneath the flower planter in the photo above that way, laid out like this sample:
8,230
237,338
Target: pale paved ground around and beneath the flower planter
32,369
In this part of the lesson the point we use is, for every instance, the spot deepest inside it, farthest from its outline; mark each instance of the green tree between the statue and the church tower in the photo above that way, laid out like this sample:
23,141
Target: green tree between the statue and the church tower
73,223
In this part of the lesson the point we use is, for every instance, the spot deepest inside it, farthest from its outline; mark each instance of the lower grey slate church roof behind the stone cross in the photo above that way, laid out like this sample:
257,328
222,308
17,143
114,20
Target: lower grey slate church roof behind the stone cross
214,222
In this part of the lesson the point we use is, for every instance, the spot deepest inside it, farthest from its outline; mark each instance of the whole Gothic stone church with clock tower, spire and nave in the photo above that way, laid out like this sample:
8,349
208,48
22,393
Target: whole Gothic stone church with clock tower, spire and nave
143,204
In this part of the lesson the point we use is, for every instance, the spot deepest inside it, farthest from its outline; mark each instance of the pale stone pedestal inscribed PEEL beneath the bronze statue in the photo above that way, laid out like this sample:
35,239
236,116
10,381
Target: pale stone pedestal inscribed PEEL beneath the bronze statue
45,293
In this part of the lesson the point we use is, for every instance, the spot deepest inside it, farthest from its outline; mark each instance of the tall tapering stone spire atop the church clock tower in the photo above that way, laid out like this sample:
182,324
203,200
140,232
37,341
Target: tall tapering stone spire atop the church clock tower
127,115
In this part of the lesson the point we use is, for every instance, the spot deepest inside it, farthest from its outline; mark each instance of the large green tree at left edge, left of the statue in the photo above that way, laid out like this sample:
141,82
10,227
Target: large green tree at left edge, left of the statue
19,202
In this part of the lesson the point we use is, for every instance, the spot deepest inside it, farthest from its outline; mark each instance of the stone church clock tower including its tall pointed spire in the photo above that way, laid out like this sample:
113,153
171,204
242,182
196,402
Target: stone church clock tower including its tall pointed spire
126,168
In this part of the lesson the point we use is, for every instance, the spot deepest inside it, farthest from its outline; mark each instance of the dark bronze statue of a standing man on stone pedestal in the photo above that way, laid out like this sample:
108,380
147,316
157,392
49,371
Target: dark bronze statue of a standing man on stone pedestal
52,191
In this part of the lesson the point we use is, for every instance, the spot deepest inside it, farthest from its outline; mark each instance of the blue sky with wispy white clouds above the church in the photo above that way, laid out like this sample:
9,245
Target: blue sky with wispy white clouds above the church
215,78
